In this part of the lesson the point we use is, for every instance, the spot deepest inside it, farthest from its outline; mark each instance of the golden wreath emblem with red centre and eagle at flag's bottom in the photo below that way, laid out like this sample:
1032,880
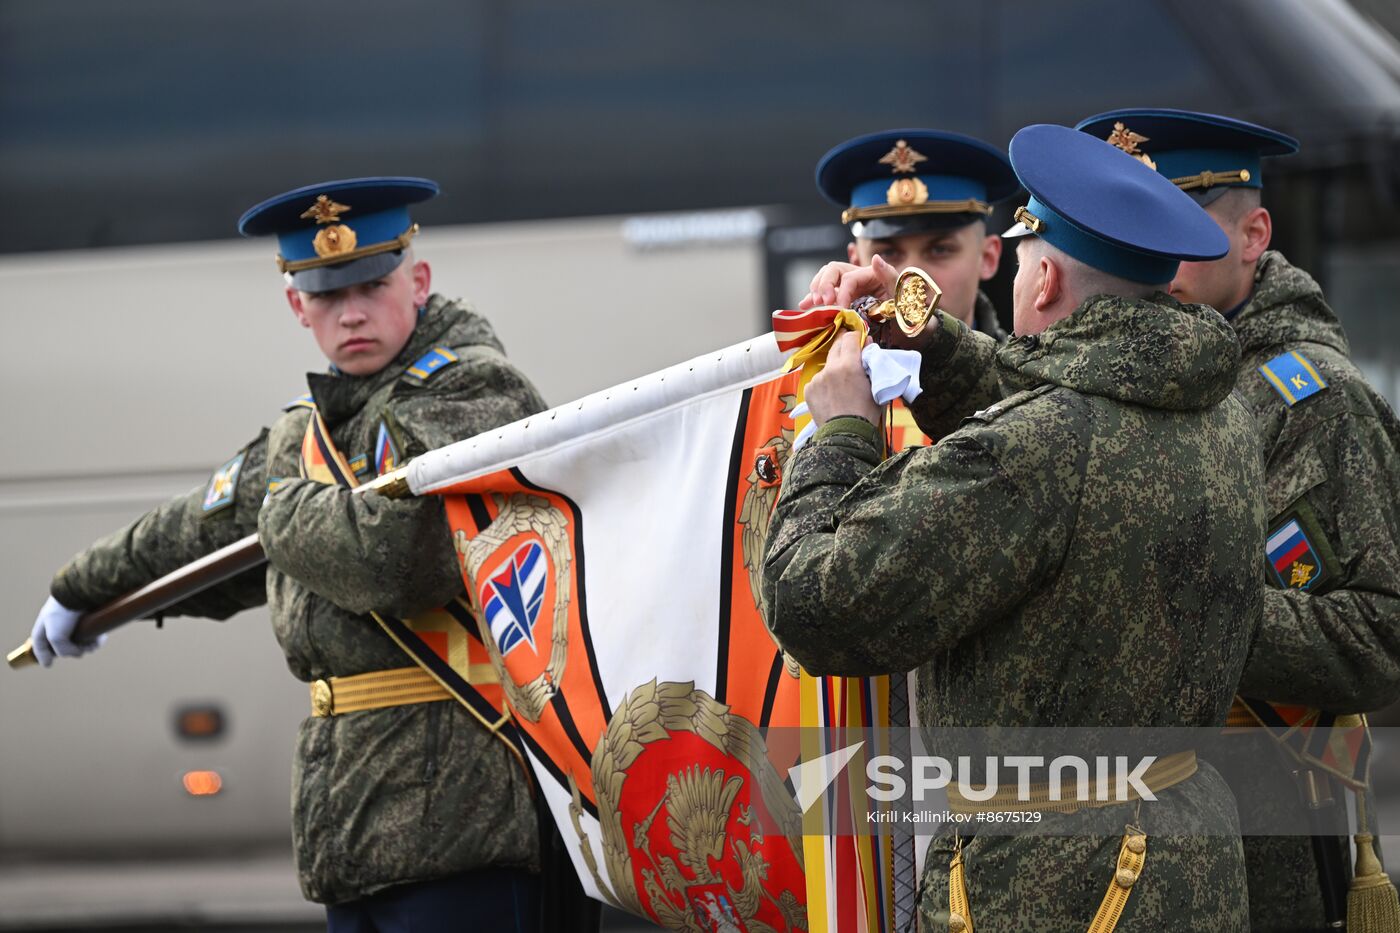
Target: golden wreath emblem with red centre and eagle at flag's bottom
713,855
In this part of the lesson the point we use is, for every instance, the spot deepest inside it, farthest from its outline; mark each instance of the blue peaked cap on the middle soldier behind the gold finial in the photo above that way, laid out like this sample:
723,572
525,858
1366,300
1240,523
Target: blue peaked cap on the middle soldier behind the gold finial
913,180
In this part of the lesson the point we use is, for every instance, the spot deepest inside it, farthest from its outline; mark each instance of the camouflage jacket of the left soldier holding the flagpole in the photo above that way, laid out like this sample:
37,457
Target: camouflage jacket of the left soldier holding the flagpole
387,796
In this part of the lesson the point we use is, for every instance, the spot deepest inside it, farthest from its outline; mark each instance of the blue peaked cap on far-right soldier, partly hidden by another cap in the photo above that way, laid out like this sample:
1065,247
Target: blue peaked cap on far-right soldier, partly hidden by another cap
1205,155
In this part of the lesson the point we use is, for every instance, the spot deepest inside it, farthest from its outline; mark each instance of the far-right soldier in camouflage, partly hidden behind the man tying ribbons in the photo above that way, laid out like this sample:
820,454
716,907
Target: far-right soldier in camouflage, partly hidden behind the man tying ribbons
1331,631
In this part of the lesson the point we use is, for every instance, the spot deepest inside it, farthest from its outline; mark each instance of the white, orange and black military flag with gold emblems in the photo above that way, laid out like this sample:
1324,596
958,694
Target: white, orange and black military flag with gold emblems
611,554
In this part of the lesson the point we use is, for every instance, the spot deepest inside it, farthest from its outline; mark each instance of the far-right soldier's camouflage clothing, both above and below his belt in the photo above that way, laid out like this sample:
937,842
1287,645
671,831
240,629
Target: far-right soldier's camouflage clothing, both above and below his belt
1335,460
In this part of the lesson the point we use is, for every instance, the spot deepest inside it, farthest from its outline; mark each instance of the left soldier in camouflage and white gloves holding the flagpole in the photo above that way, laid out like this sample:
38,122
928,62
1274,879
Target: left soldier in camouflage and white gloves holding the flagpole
401,810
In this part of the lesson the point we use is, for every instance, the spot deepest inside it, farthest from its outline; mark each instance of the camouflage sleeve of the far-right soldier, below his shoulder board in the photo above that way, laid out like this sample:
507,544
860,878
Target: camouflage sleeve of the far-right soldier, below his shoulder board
1338,645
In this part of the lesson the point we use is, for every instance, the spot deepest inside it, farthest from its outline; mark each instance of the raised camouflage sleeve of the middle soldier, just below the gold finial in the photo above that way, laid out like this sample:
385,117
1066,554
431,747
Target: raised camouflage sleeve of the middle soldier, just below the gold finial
958,375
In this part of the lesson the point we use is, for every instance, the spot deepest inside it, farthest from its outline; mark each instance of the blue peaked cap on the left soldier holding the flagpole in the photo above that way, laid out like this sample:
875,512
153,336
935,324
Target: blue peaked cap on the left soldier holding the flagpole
339,233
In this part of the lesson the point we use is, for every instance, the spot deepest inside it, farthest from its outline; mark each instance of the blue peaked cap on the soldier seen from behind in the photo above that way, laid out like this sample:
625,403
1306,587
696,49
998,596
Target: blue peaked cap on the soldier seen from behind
1107,209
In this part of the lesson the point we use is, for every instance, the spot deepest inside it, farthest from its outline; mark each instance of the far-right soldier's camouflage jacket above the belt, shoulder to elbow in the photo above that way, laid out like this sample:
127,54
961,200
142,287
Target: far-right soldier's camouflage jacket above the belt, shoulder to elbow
1331,633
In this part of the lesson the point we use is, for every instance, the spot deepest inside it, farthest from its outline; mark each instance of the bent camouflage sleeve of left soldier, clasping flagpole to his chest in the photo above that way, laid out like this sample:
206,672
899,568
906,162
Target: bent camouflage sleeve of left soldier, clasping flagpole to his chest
369,554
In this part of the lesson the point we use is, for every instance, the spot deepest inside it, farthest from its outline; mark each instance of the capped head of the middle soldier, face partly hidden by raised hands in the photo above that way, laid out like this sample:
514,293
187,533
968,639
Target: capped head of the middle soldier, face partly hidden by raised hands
919,198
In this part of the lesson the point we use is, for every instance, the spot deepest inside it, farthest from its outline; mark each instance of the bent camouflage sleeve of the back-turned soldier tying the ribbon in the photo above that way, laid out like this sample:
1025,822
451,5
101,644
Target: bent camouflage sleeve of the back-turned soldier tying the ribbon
874,568
